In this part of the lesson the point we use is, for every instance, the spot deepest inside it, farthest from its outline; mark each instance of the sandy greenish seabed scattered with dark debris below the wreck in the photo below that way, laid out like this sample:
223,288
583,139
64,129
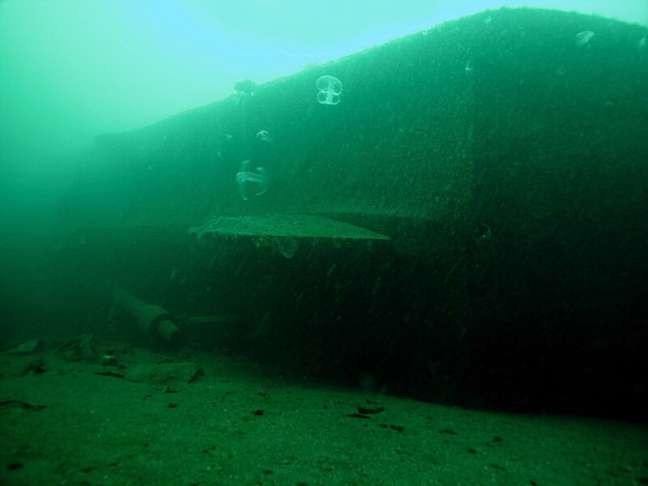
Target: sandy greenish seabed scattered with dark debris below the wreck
206,419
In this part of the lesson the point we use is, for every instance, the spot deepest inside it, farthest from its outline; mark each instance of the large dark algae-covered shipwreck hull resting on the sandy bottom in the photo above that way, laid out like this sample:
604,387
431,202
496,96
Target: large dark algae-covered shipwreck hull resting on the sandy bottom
471,209
